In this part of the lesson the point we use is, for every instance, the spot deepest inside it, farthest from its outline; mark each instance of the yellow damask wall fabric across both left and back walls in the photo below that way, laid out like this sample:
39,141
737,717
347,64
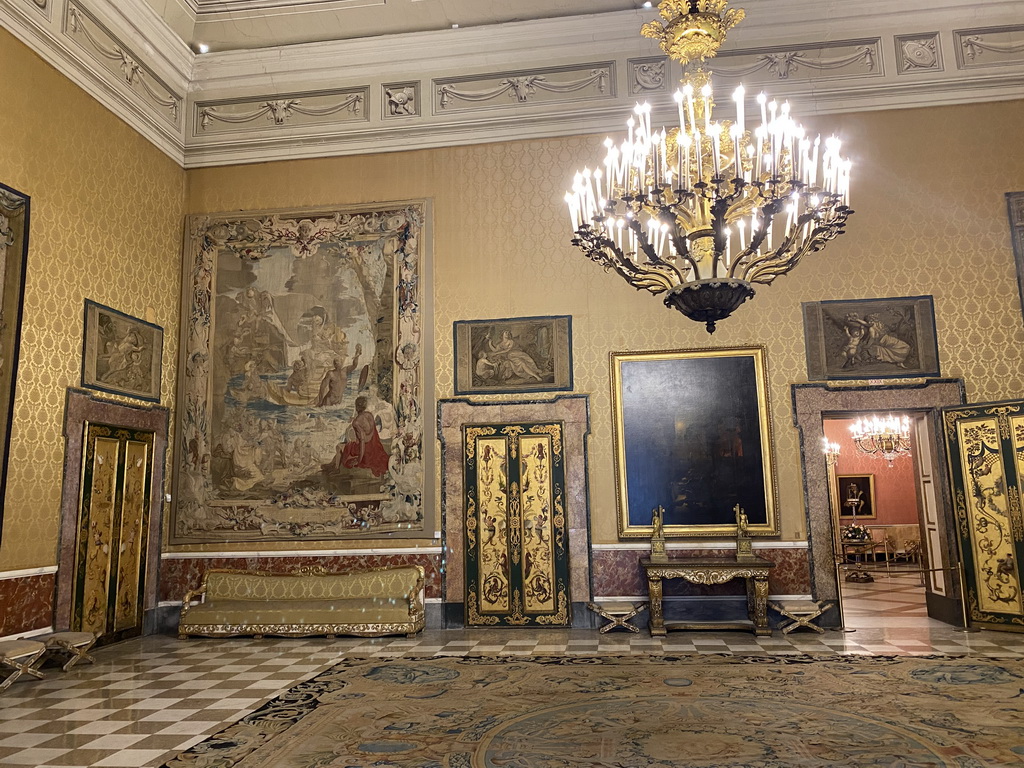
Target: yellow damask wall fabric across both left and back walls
931,220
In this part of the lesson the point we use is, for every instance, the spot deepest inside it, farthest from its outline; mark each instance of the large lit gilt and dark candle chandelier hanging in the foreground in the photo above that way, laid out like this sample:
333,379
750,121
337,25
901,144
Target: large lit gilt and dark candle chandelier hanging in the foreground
704,210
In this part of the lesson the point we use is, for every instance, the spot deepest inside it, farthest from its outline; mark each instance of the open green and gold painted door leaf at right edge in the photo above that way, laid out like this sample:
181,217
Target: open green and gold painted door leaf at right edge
986,445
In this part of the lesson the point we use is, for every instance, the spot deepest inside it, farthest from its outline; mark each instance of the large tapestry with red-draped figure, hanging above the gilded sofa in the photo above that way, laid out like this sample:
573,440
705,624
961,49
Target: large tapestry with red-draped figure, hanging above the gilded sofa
301,414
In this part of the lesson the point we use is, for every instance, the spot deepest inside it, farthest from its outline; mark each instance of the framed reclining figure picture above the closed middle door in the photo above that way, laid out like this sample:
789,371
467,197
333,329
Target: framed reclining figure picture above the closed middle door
517,355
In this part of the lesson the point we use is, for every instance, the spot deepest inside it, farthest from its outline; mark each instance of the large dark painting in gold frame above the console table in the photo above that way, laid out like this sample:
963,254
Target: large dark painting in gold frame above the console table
693,436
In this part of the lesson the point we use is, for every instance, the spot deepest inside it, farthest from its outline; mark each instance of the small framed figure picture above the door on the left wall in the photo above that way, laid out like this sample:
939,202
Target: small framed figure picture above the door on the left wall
122,355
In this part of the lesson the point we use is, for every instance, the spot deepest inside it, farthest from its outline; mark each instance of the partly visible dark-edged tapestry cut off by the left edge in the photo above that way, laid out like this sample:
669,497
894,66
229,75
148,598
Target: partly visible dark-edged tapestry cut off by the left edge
15,217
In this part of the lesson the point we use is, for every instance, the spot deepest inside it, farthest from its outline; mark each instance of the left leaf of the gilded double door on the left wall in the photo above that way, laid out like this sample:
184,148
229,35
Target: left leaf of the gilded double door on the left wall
97,534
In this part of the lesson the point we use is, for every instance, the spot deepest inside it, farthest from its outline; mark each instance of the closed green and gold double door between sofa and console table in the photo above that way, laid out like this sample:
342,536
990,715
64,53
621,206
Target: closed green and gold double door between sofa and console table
517,540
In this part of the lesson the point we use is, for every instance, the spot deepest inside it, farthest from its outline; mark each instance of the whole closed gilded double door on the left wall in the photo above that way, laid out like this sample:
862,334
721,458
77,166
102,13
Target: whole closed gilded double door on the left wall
113,532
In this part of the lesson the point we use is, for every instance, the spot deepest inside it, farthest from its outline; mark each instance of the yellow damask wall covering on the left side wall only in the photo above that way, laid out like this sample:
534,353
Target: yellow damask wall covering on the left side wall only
107,214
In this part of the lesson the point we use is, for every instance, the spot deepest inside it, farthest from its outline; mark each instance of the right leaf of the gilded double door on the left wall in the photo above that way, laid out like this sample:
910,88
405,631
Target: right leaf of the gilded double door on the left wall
135,509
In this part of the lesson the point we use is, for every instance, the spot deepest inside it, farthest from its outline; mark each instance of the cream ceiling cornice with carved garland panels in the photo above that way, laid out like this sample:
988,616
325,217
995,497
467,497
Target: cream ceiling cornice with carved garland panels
511,81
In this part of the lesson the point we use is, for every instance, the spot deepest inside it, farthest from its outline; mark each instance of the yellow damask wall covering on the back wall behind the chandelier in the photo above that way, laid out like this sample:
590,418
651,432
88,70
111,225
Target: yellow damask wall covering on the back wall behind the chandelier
931,220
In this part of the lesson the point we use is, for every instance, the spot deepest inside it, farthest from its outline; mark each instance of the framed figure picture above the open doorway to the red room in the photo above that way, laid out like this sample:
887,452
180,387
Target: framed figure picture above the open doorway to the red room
871,338
